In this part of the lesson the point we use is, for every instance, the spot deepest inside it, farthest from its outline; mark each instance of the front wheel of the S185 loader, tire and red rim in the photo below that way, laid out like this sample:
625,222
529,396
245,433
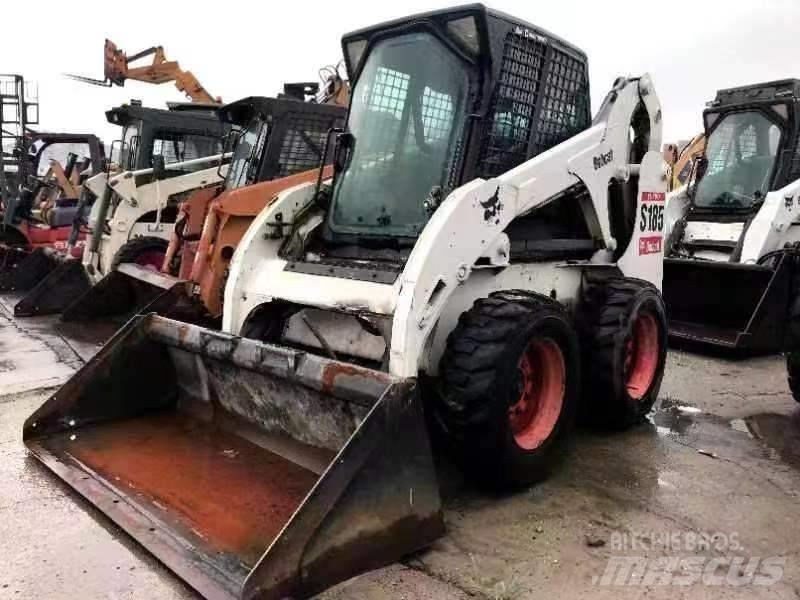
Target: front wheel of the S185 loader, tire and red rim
508,388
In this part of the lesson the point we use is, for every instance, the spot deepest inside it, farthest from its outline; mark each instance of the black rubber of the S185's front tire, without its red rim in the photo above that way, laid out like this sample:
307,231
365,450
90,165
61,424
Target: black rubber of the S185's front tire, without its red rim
478,382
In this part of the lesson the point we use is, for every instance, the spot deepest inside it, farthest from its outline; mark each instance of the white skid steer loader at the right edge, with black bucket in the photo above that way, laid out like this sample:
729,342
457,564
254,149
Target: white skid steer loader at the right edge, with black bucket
726,281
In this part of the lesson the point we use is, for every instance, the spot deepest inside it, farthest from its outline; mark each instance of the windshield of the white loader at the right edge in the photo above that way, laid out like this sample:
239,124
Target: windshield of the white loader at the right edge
741,154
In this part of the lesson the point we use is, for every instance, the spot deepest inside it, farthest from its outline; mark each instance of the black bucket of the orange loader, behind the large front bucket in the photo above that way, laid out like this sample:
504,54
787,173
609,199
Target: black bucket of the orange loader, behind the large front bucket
124,292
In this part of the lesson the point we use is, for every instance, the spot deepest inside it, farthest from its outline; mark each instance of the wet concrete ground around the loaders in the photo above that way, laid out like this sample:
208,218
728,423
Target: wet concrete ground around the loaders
719,457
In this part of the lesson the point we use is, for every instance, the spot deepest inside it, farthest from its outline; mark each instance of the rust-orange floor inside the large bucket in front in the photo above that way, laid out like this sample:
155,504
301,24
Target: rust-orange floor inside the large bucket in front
235,495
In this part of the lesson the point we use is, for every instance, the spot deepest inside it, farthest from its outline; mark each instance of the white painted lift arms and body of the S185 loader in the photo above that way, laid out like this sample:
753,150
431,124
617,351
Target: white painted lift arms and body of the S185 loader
440,279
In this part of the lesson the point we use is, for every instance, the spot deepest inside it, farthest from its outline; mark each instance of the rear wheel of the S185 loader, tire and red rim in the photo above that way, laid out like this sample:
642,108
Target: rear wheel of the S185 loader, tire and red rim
624,342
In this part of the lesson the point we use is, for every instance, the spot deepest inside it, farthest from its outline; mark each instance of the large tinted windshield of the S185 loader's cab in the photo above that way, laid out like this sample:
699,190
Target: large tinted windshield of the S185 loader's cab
407,117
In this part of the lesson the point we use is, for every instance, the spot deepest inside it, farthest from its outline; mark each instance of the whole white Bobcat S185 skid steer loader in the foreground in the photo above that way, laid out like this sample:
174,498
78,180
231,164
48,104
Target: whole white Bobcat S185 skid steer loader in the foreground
484,253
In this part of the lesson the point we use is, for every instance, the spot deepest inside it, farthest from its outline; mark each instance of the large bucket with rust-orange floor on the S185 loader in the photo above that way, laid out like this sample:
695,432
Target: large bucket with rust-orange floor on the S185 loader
250,470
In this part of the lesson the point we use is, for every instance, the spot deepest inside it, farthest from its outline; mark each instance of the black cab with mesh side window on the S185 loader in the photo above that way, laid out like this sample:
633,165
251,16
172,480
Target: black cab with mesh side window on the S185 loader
437,101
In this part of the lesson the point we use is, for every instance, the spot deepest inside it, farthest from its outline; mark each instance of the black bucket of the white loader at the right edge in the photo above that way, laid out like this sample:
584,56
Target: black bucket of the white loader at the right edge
731,306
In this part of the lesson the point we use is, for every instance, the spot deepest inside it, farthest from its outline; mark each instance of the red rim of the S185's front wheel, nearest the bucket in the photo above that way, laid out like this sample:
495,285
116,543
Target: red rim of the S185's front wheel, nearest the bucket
542,380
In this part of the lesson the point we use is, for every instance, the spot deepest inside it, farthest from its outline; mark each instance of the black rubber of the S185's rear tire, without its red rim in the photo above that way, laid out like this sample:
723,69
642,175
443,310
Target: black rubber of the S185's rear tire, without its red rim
608,314
